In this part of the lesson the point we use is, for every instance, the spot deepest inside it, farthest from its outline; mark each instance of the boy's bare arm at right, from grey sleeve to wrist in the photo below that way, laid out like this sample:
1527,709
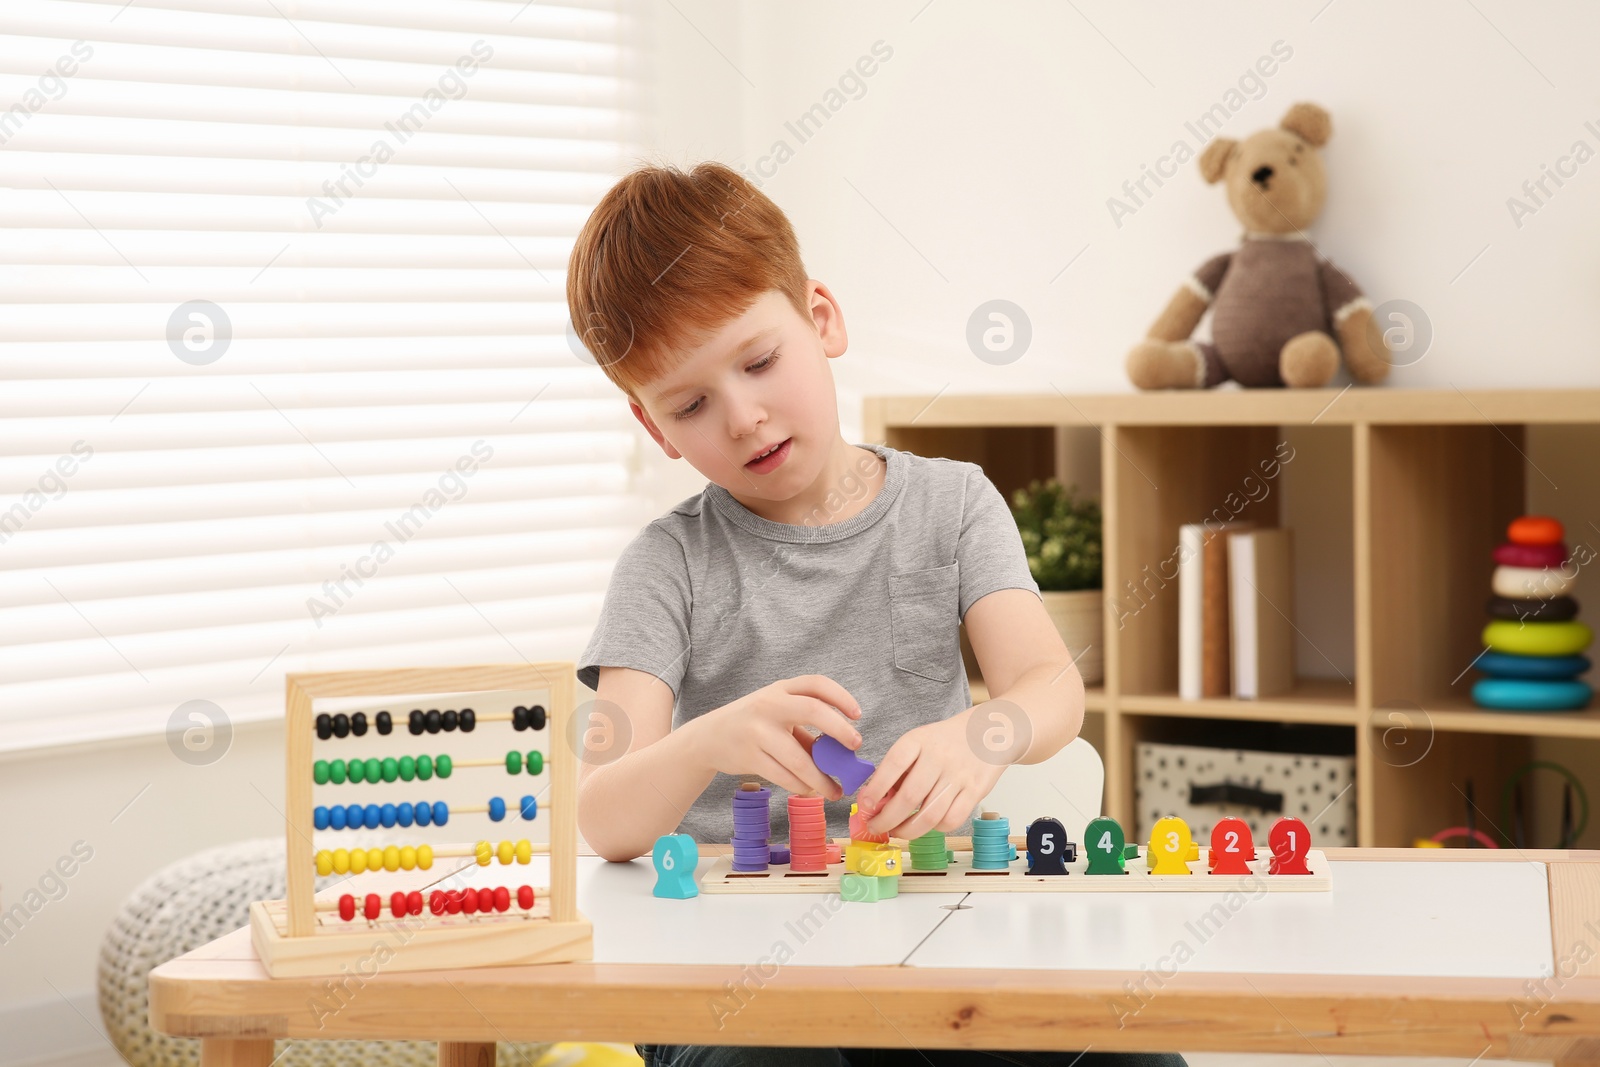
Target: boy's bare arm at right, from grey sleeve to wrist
1025,661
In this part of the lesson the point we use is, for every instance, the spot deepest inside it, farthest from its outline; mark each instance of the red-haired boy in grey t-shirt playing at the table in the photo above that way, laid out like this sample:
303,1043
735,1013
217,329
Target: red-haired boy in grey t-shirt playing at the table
814,585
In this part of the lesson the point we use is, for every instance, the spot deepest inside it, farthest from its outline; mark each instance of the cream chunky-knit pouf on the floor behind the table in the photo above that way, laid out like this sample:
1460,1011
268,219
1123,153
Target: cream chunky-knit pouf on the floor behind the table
196,901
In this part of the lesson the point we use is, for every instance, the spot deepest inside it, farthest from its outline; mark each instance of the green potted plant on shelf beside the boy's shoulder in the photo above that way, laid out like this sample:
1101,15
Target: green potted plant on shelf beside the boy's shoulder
1062,535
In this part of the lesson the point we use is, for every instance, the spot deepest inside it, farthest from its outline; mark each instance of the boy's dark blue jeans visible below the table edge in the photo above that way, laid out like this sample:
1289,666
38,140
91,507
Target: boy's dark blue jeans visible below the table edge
737,1057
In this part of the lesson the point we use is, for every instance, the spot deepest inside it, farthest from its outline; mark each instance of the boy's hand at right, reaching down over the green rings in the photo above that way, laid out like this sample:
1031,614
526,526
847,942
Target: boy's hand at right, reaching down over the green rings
945,778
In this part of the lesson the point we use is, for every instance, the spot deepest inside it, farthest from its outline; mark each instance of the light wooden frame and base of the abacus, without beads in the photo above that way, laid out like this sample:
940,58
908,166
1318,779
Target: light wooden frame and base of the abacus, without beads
294,946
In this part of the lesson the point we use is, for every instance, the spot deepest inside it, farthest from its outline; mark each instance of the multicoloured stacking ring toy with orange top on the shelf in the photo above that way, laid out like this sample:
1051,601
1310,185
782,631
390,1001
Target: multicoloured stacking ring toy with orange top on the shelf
1535,641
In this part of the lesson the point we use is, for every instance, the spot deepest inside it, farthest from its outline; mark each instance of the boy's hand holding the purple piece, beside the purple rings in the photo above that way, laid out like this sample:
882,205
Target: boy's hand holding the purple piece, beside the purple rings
762,733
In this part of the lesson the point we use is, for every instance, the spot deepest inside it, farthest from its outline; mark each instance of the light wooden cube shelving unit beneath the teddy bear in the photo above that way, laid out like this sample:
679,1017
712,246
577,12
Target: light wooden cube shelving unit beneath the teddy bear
1398,500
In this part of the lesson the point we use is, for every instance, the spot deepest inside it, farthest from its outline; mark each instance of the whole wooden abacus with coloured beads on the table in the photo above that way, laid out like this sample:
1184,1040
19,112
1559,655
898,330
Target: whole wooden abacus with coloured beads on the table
302,937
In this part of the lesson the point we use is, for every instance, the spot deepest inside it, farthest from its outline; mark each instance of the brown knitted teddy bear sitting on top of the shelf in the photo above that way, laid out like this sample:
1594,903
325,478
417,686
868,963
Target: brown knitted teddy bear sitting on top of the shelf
1278,306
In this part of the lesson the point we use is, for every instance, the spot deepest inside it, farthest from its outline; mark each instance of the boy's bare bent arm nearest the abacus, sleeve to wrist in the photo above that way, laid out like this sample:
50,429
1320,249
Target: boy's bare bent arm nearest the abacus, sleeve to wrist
636,780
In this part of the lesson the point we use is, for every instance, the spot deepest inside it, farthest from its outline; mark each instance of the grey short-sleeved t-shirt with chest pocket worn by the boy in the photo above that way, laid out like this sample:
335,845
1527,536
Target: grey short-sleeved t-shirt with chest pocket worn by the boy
719,602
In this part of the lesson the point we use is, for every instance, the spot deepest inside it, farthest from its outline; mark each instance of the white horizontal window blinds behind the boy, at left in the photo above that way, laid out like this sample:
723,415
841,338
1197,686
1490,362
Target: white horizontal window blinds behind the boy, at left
284,366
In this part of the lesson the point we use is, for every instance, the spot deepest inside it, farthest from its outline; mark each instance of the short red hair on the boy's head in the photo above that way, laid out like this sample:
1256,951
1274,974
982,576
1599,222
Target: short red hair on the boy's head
668,258
